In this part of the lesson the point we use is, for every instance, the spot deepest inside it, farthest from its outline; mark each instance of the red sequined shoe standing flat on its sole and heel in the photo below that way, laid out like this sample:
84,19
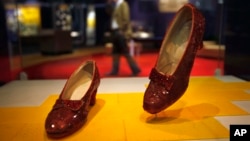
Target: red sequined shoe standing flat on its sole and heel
70,110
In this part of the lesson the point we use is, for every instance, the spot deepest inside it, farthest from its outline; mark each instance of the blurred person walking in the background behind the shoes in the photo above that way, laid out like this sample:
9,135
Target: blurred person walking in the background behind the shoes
121,33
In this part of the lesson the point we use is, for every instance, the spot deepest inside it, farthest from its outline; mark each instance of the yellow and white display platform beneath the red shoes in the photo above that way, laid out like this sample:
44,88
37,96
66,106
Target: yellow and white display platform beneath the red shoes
204,113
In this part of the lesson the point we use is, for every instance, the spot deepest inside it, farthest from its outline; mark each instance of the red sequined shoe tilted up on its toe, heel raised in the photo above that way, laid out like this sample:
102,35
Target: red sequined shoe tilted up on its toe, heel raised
170,76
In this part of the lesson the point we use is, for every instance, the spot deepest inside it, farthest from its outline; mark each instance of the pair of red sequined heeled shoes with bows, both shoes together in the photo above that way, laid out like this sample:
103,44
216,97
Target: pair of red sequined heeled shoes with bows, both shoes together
169,77
